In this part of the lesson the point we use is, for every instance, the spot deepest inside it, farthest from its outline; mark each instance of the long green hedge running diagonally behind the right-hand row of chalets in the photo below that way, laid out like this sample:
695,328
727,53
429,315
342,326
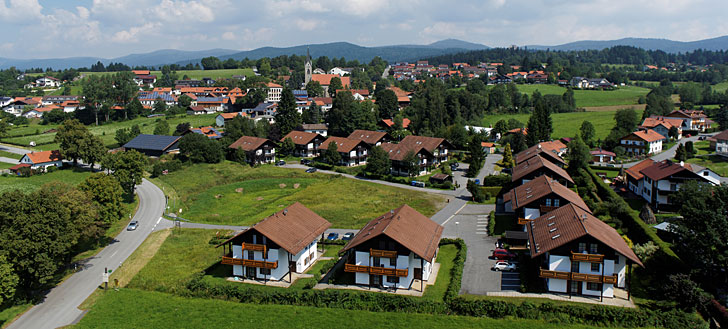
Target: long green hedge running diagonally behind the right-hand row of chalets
639,231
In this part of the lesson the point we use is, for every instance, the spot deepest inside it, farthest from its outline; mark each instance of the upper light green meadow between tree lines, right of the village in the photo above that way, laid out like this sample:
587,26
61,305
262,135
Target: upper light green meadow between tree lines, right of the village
626,95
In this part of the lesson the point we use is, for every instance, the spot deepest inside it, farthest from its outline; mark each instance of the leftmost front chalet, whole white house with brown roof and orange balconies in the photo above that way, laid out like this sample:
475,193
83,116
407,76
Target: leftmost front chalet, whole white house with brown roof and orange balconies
279,245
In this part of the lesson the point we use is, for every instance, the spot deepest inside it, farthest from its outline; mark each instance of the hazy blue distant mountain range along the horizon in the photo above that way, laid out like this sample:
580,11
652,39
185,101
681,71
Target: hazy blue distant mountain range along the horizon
351,51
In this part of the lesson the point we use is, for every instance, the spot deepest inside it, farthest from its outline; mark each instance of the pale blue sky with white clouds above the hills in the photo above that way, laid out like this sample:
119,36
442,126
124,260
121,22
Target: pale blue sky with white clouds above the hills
114,28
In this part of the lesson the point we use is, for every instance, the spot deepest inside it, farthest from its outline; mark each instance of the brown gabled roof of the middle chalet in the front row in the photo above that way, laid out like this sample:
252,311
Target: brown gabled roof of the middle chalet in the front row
413,230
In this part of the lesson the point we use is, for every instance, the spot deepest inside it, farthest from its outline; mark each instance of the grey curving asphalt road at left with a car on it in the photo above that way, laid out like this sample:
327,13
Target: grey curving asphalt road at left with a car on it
60,307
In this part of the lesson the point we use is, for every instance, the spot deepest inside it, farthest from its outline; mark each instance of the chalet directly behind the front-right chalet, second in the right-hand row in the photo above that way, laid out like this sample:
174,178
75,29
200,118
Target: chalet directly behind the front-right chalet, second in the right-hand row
539,196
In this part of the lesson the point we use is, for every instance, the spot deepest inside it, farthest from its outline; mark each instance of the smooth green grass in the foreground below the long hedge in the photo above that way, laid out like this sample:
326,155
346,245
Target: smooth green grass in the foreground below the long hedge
130,308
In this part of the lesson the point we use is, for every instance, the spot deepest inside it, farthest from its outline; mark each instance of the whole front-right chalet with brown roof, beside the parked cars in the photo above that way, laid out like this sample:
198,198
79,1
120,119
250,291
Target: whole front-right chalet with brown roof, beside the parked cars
581,254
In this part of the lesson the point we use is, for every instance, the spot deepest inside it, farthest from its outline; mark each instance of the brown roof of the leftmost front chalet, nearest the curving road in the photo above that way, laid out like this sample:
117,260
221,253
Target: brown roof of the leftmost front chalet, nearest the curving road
292,228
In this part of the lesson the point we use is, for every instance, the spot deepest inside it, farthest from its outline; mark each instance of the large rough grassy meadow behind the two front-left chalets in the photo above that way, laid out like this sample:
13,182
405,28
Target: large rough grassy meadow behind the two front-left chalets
212,194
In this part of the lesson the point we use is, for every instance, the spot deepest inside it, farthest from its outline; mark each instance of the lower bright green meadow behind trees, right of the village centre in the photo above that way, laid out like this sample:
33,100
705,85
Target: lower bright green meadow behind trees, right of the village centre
566,124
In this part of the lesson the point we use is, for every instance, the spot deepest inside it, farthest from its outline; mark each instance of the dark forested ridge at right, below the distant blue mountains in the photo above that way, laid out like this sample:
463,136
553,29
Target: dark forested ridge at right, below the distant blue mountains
613,55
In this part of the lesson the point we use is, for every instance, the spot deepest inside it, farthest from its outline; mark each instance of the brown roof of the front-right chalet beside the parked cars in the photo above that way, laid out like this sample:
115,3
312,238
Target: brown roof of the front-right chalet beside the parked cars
570,223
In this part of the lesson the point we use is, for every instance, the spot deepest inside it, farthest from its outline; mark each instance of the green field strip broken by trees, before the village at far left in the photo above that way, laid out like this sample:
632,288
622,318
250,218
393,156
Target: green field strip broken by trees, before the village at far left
107,132
